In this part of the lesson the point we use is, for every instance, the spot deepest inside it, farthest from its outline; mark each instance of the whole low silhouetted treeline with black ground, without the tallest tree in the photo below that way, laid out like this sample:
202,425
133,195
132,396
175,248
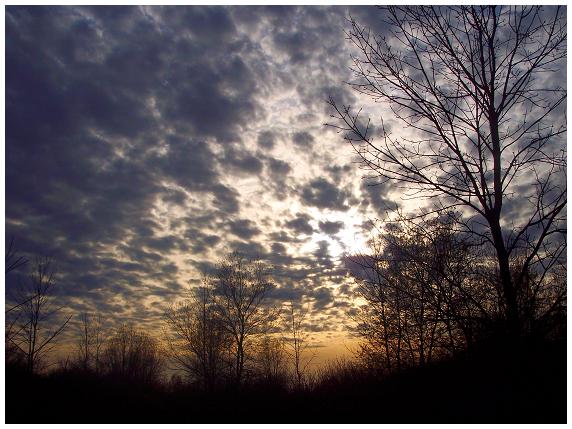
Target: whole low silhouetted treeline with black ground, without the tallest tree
434,348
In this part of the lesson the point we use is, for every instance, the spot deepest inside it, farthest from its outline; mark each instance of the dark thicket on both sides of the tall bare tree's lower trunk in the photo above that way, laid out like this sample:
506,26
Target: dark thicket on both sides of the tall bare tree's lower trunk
433,292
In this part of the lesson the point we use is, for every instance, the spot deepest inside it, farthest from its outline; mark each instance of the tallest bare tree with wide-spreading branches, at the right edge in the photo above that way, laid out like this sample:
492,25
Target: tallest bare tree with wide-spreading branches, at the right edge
477,93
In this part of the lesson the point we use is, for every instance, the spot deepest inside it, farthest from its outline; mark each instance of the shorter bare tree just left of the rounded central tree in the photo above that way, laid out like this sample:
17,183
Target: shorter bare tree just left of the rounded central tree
197,340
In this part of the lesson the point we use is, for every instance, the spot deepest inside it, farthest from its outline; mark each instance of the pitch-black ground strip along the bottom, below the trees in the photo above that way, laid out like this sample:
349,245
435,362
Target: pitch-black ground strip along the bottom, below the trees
488,386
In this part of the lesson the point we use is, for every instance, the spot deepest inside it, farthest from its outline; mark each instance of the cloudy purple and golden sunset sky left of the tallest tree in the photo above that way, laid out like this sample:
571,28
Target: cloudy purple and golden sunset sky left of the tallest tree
145,143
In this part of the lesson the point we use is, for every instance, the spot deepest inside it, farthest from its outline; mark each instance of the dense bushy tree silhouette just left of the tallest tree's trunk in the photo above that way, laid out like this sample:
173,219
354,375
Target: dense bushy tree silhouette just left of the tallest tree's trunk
425,292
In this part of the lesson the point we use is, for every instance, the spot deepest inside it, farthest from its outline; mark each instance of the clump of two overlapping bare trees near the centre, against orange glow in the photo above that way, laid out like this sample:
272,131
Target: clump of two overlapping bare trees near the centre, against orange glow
211,333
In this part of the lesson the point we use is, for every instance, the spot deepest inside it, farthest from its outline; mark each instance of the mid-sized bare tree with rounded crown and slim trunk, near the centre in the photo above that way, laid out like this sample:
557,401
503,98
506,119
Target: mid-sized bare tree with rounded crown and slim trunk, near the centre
240,288
